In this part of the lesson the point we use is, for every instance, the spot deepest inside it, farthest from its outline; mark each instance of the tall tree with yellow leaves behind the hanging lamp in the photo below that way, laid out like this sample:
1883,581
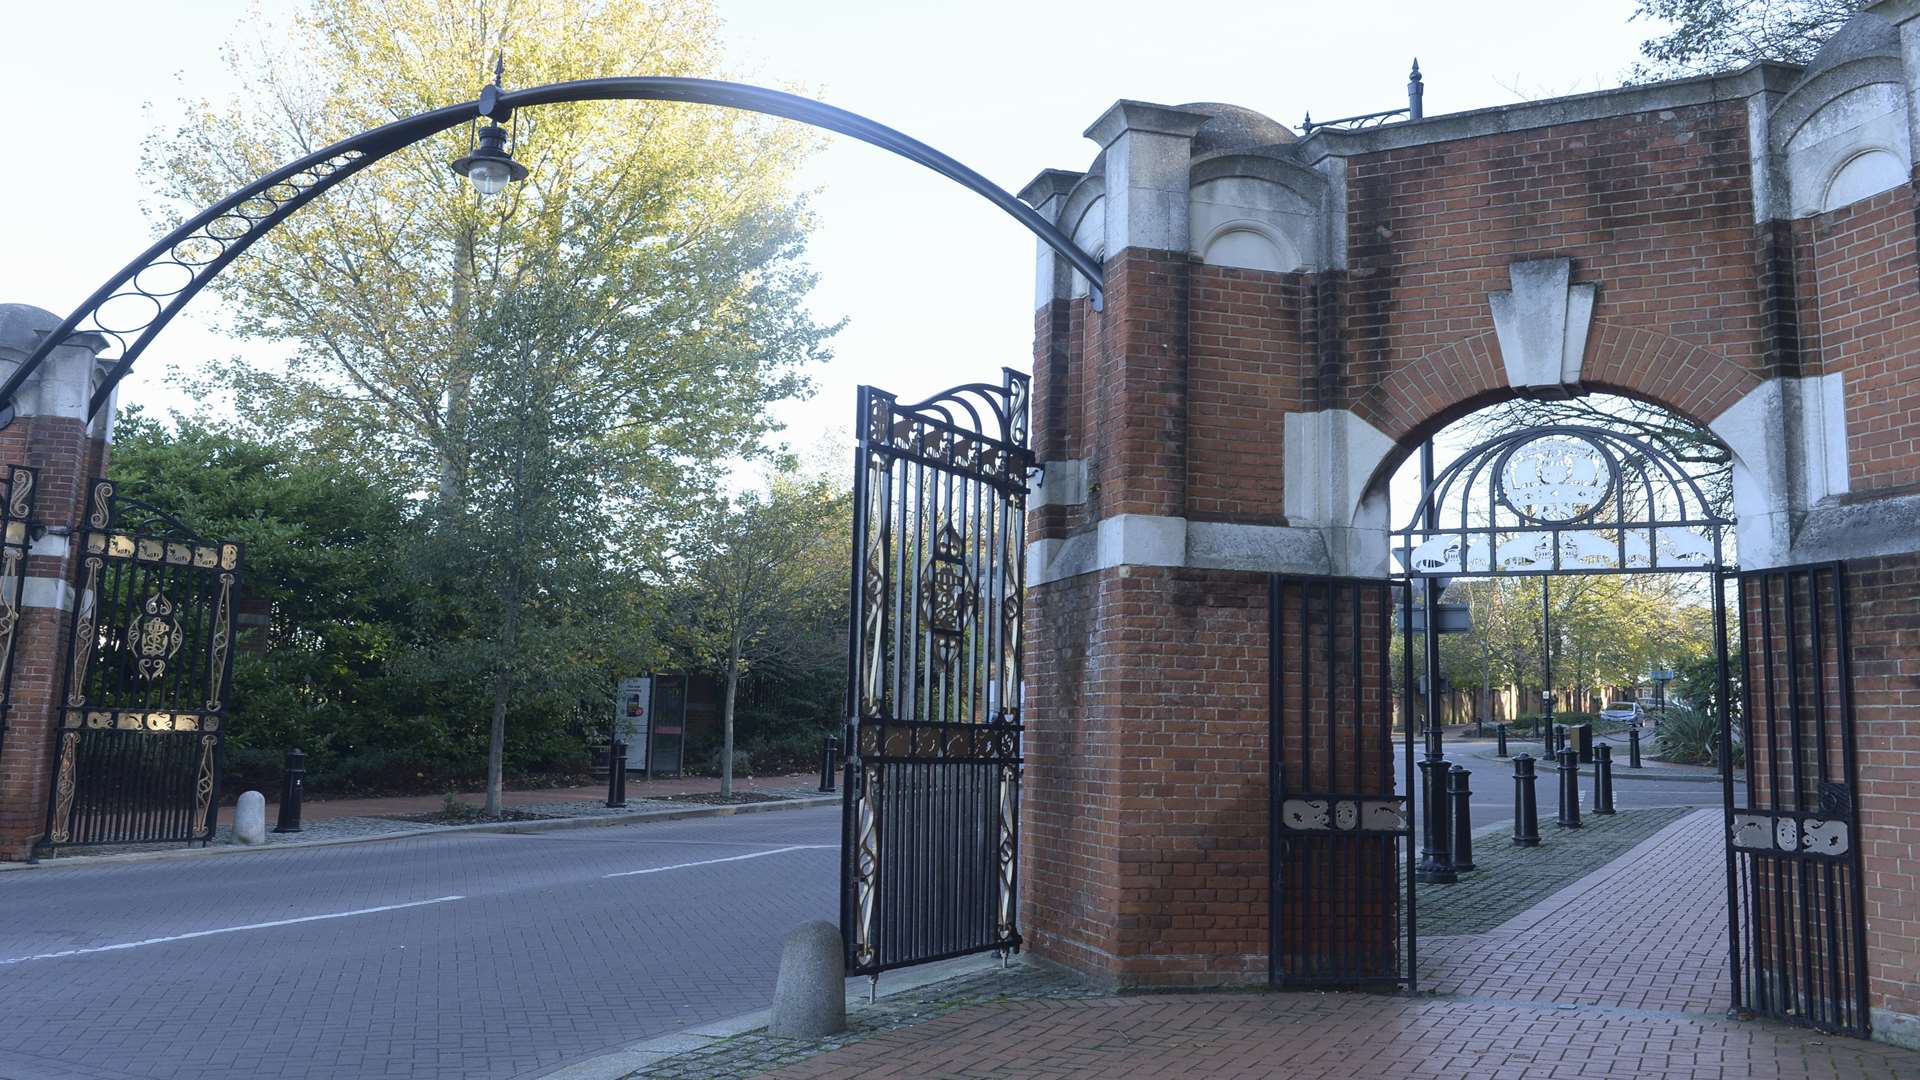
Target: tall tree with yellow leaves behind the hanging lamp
669,230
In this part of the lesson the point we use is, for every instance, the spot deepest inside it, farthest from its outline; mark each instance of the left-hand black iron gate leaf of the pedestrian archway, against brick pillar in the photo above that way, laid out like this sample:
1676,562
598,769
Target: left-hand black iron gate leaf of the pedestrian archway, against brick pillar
1337,827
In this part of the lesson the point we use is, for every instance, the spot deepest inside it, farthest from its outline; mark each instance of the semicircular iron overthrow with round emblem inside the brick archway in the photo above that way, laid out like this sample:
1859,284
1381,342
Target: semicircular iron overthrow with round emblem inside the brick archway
1562,501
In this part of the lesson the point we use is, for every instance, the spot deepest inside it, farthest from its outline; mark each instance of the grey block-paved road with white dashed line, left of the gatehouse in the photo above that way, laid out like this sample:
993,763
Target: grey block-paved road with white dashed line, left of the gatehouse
441,956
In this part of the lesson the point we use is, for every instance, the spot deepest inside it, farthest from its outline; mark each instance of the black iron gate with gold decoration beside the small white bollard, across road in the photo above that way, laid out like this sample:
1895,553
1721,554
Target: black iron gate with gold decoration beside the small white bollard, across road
147,679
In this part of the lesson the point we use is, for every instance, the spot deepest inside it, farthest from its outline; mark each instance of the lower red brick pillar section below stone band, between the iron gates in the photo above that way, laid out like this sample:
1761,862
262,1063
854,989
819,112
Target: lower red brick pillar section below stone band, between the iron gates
1147,795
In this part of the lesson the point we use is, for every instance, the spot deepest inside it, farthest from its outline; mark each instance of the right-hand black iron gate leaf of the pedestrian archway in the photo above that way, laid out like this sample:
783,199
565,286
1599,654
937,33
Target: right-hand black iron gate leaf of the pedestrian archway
1794,835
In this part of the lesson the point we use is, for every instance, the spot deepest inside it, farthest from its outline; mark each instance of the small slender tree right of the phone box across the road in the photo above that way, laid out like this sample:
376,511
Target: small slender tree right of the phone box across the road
767,574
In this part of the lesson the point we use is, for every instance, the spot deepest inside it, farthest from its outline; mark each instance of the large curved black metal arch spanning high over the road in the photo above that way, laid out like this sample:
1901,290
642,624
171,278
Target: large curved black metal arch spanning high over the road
180,264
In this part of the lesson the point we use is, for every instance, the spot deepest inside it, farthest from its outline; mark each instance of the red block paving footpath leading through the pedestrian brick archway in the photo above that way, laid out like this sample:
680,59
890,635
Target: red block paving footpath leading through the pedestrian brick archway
1620,975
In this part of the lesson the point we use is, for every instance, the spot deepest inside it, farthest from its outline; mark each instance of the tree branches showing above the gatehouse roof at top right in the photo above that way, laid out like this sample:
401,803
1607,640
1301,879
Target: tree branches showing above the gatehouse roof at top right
1719,36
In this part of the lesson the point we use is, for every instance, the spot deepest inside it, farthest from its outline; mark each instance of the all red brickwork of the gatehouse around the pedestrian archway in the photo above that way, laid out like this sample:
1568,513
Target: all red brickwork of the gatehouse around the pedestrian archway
1145,847
